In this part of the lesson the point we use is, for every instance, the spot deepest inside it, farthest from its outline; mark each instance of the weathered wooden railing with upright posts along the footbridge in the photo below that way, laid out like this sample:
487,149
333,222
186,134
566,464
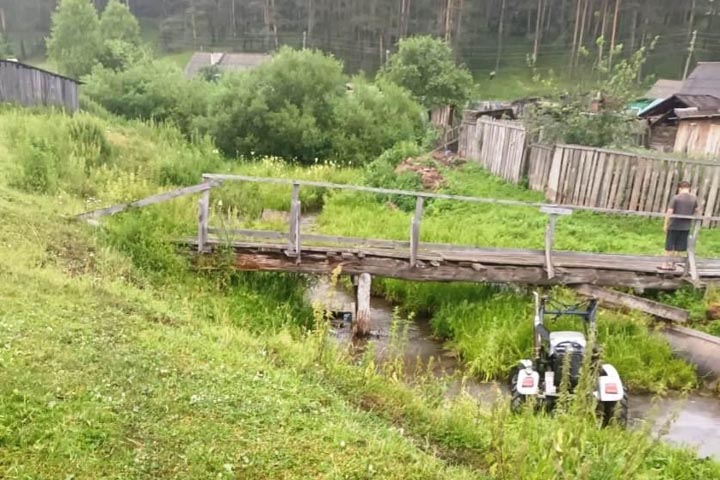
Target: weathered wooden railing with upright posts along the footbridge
294,237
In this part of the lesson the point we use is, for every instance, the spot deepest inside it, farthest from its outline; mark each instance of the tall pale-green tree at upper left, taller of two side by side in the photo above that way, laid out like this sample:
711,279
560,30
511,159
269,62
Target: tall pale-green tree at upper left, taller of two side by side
74,42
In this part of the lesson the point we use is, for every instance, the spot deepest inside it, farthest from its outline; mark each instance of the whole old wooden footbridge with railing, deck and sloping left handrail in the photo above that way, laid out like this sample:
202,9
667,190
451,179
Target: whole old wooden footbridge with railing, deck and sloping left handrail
304,252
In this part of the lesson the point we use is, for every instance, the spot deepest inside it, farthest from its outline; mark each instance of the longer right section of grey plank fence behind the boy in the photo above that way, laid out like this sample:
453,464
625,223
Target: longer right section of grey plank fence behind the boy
600,178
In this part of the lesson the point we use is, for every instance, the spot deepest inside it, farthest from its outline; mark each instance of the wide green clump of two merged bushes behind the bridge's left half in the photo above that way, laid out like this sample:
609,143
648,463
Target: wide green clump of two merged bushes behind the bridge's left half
298,107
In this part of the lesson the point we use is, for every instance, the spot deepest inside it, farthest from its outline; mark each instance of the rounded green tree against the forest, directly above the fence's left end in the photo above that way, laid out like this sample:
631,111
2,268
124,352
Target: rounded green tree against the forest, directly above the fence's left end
425,67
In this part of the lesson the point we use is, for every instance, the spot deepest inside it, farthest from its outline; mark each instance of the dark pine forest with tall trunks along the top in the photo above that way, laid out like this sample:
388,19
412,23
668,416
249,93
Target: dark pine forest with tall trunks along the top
488,35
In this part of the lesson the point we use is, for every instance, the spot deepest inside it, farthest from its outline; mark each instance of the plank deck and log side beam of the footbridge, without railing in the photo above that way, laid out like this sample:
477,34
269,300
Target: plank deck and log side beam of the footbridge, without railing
450,263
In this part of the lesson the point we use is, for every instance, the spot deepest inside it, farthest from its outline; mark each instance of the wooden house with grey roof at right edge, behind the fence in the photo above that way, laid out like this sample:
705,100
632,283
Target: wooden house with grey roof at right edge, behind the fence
688,121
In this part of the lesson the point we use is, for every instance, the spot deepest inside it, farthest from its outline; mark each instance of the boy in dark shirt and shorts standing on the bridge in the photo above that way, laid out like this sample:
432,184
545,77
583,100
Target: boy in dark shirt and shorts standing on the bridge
677,230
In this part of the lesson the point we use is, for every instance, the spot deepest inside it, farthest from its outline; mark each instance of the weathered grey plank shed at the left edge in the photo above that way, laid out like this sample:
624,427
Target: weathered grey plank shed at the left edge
31,86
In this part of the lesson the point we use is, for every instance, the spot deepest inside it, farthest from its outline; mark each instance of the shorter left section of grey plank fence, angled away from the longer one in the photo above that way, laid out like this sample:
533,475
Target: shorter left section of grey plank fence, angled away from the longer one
498,145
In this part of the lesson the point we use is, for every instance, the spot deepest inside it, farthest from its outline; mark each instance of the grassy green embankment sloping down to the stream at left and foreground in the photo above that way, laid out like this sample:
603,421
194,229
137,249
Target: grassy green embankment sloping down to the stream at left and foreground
120,362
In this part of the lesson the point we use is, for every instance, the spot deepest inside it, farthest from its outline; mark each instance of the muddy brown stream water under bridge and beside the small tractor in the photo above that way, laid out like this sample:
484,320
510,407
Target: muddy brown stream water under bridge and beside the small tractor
695,420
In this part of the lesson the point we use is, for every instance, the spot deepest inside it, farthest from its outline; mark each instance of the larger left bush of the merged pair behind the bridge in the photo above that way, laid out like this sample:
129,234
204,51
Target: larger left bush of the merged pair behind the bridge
283,108
